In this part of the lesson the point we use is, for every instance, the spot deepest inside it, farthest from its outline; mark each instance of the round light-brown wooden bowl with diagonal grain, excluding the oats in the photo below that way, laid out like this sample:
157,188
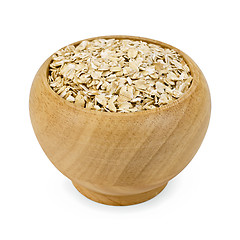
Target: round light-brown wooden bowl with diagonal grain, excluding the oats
120,158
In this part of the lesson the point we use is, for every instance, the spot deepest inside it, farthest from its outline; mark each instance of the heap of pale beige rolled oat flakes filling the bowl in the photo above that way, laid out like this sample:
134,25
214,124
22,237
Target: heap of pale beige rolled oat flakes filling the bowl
118,75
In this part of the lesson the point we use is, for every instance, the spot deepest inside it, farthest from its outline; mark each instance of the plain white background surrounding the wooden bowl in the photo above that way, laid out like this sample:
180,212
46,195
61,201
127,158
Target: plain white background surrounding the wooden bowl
38,202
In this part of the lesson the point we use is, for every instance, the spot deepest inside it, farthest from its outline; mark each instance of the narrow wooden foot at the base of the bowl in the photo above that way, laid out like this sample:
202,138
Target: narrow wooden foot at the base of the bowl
119,200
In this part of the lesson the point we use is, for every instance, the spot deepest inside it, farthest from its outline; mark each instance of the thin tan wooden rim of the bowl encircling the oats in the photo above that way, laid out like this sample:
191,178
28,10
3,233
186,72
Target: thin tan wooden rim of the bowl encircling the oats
194,70
